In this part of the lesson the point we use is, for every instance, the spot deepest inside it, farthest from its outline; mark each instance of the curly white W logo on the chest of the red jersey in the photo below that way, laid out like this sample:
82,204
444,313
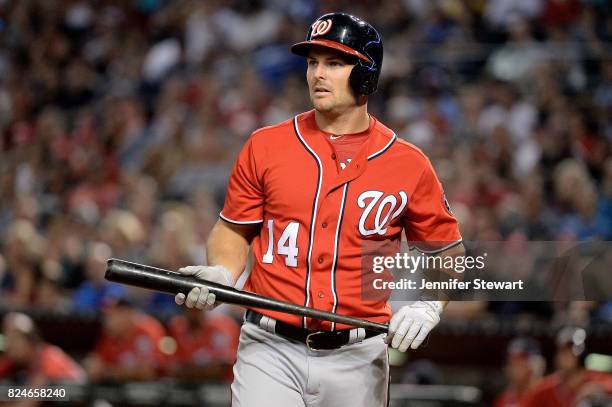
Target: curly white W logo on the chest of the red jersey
385,211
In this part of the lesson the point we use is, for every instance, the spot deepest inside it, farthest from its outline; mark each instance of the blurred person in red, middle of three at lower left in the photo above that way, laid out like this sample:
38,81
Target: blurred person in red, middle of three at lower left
129,348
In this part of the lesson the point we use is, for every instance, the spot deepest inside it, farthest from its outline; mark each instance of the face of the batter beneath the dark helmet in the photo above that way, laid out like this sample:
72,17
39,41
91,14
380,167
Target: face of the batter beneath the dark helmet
328,80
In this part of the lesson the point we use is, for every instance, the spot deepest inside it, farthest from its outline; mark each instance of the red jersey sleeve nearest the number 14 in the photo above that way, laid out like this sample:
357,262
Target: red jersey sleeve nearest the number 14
244,198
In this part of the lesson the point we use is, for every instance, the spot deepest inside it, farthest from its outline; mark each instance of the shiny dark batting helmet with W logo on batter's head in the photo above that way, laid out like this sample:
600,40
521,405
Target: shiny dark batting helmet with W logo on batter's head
352,36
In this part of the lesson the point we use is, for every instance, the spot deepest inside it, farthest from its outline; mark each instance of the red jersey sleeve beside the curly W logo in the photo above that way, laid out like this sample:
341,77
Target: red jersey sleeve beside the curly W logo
428,221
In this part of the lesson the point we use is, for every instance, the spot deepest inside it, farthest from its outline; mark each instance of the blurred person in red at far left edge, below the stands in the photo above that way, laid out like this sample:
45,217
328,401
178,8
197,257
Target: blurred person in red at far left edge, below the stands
30,361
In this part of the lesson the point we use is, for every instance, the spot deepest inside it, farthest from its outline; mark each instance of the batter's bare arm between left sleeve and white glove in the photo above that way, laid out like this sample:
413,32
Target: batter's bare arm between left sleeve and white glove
228,246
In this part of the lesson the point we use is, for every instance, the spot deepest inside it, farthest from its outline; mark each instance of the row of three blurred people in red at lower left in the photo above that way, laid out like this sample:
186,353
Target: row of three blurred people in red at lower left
132,346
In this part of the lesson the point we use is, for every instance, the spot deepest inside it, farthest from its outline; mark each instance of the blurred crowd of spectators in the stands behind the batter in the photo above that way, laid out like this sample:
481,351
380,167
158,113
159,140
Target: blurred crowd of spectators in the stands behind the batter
120,121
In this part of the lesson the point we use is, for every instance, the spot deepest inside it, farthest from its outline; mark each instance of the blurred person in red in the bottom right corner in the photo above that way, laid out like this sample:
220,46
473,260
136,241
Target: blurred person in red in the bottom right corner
571,384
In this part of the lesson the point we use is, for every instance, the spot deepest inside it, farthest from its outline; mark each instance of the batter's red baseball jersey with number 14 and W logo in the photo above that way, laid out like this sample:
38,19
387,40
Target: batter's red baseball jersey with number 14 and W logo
316,220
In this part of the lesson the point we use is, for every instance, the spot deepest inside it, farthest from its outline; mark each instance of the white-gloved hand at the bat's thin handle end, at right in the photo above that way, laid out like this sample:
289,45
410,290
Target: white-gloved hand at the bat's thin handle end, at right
411,324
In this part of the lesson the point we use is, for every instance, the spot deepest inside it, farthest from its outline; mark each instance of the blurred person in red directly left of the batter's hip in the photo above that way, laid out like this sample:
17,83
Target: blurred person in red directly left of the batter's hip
206,345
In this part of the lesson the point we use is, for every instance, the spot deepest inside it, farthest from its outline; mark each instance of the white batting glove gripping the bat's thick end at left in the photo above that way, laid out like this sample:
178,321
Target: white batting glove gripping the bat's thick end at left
200,297
